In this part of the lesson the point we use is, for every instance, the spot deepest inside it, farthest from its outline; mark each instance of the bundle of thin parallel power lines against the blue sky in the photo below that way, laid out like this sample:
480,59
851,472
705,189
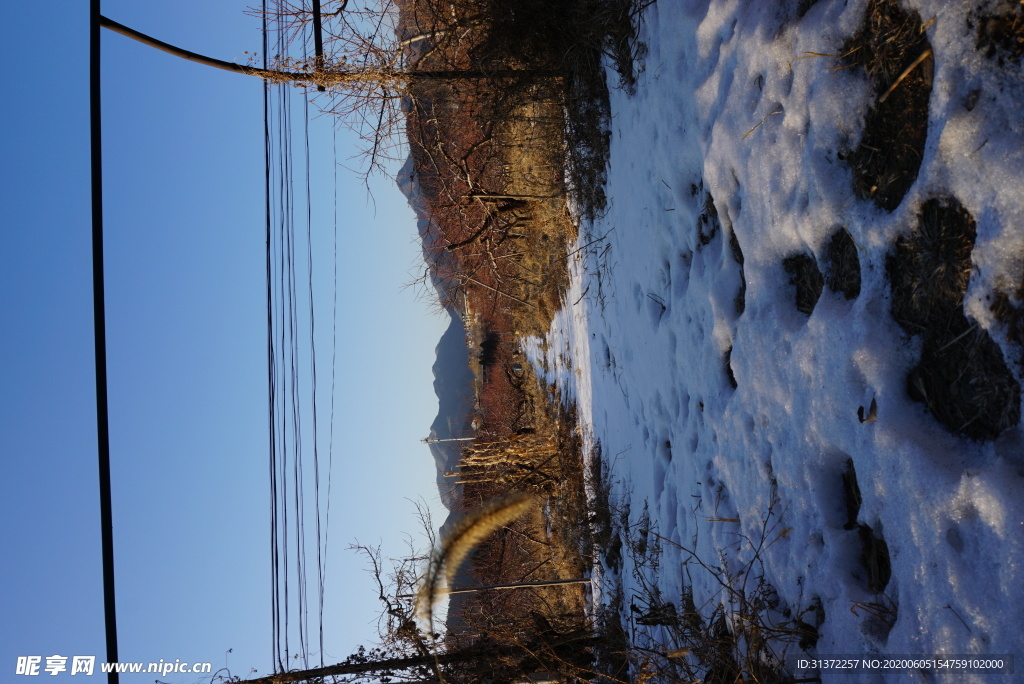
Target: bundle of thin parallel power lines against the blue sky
293,384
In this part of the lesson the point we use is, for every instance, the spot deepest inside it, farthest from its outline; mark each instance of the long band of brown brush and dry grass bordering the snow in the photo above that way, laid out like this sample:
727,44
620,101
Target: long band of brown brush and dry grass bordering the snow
495,160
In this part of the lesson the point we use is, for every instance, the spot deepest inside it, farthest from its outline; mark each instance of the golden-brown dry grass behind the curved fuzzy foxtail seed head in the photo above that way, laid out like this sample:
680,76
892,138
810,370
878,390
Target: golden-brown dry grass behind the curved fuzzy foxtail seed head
550,541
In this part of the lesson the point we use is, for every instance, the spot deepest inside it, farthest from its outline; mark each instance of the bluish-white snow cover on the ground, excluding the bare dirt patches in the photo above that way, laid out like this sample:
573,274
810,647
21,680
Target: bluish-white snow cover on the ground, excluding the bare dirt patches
643,345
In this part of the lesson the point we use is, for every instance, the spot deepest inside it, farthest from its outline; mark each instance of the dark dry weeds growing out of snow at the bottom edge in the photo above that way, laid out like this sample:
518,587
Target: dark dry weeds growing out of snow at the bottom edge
741,633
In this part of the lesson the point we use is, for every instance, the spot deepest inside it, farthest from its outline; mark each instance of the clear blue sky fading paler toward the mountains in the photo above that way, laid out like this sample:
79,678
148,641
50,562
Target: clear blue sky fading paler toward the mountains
187,349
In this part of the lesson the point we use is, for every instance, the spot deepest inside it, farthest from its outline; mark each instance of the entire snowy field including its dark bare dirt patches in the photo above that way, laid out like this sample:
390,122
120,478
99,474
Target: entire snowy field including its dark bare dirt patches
794,341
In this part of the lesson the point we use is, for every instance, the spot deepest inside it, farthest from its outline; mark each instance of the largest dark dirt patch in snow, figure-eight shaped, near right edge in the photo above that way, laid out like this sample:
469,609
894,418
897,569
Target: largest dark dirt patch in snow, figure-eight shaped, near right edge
962,376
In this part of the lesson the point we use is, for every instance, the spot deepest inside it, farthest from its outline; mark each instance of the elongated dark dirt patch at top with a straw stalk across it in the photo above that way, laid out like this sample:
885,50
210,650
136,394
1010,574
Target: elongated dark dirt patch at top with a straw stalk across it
891,49
